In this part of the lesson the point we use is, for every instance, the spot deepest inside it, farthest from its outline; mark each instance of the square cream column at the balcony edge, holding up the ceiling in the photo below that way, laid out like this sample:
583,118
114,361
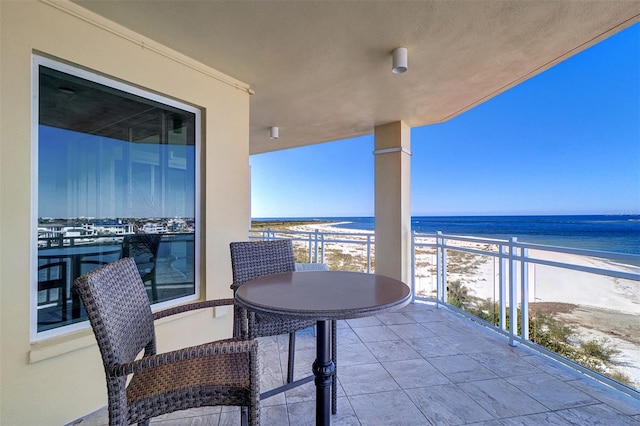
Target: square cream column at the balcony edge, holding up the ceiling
393,201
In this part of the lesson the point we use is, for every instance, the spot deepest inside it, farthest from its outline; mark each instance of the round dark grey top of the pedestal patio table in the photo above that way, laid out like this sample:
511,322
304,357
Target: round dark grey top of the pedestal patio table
323,294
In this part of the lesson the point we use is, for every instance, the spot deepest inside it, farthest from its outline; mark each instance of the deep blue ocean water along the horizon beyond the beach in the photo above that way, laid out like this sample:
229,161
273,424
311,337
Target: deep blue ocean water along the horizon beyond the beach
612,233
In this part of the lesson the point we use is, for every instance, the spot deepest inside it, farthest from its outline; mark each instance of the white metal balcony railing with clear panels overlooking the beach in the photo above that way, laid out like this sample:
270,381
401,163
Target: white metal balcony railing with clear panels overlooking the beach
581,307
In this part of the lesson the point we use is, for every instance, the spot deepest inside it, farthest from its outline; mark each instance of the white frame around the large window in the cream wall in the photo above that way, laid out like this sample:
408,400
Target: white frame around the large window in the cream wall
77,71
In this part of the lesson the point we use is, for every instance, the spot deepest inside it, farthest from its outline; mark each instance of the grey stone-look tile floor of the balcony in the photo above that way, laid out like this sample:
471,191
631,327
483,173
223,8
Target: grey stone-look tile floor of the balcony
424,366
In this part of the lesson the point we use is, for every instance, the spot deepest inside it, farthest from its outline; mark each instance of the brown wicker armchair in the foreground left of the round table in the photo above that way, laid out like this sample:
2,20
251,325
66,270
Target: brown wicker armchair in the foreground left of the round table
218,373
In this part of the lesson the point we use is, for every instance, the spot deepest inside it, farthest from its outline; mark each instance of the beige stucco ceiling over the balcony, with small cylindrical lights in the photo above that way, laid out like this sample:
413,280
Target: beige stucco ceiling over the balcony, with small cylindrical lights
321,70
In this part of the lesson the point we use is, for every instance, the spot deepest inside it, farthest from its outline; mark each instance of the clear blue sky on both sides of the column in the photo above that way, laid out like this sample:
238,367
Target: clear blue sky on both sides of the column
564,142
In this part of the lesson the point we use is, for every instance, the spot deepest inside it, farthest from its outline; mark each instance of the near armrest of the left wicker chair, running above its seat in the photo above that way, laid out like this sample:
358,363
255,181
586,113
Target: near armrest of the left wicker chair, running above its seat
220,347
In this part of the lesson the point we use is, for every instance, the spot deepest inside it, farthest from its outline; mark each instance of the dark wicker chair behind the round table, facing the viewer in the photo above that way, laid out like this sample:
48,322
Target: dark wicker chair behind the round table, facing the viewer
254,259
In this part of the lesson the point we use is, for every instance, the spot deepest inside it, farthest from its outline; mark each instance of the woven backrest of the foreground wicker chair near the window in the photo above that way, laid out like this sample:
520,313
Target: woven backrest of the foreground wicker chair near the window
119,311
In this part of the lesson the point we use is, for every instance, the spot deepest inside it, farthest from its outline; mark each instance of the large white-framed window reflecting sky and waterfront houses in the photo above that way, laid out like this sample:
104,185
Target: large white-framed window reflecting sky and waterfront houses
117,176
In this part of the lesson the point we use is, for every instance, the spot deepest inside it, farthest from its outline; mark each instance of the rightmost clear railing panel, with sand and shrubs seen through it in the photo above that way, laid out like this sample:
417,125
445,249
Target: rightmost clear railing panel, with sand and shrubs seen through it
589,318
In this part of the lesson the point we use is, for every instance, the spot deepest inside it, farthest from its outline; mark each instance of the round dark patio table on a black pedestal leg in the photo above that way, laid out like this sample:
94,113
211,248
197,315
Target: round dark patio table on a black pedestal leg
323,296
